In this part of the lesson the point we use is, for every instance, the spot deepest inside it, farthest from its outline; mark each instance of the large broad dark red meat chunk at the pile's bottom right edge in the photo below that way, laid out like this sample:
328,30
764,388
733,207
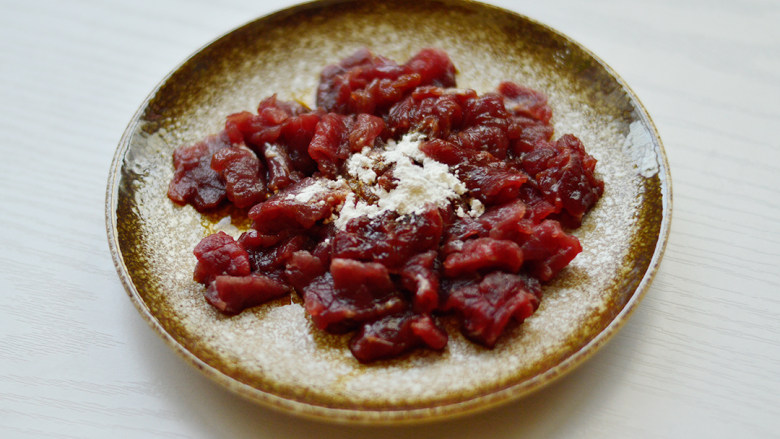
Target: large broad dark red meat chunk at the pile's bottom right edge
486,306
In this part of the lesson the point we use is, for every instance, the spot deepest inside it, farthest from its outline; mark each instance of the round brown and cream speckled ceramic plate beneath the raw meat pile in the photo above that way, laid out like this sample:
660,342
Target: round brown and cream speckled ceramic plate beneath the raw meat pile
272,354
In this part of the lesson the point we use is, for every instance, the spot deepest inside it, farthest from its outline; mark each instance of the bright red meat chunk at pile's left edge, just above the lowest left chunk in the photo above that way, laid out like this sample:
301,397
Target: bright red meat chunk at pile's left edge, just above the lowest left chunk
219,254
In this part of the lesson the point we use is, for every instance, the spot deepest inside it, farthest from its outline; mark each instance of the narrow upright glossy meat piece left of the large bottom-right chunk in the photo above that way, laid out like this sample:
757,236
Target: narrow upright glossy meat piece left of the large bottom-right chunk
420,277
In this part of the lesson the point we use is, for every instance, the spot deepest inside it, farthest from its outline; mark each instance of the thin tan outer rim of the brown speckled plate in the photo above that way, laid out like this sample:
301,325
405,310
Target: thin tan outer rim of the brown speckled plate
375,416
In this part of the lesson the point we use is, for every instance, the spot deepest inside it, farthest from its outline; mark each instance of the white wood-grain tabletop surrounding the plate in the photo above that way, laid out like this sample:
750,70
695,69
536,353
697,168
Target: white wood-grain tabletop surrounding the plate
699,358
